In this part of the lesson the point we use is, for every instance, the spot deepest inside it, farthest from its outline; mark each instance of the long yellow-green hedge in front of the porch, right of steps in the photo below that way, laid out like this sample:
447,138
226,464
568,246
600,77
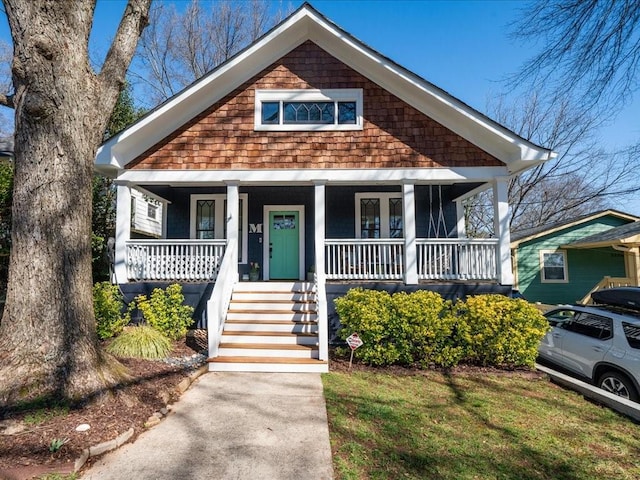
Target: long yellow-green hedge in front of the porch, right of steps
423,329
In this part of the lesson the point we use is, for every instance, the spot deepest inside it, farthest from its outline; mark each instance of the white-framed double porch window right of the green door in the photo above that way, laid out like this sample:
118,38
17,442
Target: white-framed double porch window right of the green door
379,215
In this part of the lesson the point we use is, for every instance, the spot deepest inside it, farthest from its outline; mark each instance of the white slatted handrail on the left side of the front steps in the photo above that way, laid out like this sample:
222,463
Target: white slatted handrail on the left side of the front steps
218,303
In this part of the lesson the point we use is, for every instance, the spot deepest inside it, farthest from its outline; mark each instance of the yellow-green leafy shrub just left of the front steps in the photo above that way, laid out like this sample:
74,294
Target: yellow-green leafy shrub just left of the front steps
165,311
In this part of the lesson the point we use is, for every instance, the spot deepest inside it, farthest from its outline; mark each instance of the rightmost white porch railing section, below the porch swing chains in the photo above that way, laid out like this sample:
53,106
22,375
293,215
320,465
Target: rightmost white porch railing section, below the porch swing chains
457,259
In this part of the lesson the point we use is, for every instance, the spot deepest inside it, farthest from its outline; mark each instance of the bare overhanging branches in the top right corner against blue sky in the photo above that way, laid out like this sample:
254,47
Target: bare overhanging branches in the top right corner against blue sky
589,47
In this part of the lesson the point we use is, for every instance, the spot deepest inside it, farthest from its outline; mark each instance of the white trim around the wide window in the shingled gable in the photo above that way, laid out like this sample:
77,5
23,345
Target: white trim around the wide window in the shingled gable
308,95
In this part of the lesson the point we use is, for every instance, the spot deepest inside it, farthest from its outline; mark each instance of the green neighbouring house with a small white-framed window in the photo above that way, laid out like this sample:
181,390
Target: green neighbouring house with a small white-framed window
552,263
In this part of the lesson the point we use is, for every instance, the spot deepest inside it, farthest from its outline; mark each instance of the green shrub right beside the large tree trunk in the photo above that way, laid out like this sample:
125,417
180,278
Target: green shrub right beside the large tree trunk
108,305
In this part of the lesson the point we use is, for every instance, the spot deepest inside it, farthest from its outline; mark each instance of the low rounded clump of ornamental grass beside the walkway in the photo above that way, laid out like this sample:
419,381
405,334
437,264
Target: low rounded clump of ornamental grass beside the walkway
141,341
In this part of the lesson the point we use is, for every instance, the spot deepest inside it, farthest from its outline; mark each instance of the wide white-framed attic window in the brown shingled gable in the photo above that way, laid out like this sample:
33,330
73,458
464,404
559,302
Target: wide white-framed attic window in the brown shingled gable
310,110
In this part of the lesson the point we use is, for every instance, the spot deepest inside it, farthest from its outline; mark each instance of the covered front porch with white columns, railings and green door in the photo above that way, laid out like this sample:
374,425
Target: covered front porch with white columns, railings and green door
407,233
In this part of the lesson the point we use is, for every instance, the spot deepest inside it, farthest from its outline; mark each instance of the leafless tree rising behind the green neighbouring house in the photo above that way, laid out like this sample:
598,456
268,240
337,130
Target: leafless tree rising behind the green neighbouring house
581,179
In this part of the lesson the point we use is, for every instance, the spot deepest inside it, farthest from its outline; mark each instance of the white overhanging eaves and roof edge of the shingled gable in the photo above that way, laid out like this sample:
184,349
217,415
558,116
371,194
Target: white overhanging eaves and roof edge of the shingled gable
304,24
